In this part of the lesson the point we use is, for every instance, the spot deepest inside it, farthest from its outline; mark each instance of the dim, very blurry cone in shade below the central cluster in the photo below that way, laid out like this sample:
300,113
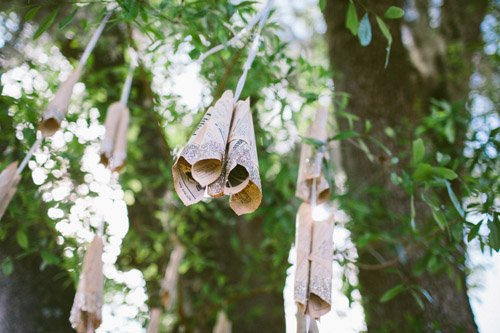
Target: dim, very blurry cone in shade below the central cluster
169,283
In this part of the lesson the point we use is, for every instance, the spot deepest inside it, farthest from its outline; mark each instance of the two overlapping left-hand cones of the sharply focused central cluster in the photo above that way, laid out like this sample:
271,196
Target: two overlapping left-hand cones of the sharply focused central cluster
201,160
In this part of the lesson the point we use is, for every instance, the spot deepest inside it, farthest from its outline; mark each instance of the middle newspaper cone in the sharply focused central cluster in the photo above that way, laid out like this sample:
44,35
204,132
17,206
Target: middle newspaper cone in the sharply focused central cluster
207,164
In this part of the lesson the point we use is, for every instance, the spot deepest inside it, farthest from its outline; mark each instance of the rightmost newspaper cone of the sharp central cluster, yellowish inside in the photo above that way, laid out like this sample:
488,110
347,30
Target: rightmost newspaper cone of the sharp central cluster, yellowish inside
242,180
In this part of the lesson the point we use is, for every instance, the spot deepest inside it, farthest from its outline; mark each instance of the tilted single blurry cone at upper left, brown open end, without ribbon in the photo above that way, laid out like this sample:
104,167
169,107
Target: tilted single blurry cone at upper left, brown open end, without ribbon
57,108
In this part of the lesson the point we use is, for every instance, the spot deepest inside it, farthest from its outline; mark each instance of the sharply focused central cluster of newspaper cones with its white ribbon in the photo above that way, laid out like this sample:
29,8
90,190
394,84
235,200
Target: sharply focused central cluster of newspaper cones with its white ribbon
221,156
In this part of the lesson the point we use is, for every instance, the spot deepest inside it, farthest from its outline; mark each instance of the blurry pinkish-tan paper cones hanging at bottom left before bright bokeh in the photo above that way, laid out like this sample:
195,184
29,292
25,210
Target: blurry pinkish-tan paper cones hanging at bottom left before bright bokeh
86,311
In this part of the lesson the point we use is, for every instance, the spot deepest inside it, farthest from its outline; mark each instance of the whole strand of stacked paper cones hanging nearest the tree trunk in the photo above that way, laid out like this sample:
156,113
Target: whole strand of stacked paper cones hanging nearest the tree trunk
314,243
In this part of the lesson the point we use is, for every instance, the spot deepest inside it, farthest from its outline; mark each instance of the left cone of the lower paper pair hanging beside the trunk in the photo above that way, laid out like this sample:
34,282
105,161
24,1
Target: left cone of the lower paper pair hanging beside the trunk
303,236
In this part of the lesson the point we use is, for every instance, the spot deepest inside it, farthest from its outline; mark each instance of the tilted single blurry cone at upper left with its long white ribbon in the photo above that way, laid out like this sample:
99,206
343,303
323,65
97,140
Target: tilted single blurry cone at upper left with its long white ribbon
57,108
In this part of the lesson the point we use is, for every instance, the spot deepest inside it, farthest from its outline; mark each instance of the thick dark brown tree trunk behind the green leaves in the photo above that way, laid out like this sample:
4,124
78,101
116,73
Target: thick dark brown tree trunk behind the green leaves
398,97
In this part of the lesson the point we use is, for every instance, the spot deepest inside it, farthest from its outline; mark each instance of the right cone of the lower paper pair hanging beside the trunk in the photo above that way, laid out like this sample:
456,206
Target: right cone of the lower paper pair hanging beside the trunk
321,258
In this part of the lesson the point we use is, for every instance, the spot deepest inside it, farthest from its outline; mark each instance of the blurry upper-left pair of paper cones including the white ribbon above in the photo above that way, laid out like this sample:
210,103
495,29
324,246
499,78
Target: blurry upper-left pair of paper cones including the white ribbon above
114,145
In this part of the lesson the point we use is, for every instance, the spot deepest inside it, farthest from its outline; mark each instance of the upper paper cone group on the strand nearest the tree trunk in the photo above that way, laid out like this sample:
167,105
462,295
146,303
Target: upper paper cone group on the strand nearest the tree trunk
311,160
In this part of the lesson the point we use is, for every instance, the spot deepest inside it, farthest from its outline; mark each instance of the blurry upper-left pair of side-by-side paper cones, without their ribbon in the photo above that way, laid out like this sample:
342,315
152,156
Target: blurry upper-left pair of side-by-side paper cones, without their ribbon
114,145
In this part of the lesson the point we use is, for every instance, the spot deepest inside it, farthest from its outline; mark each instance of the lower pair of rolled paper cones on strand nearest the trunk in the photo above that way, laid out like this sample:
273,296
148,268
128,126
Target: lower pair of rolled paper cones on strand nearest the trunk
313,275
